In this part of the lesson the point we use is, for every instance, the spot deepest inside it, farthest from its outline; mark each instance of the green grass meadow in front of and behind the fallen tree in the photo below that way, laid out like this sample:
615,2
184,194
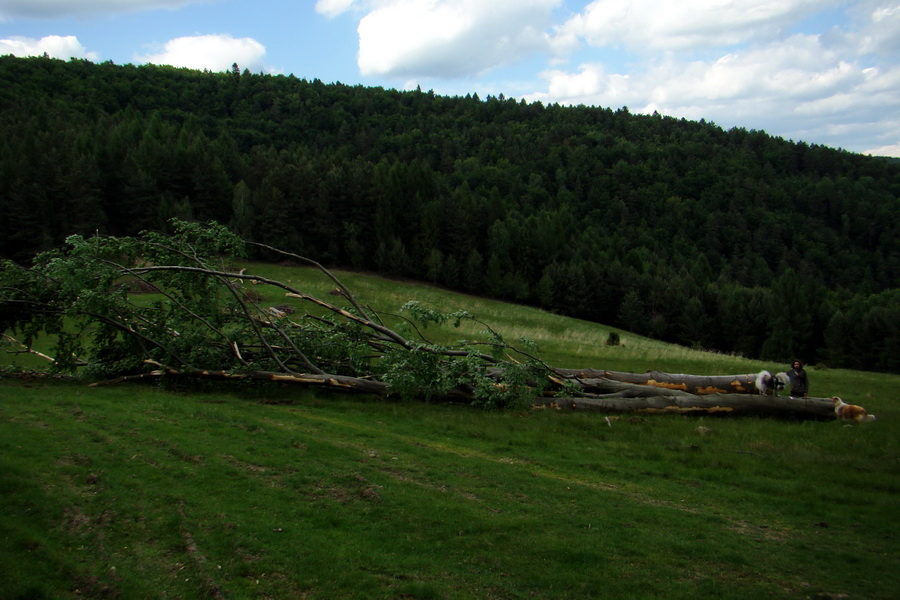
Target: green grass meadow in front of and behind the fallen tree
266,492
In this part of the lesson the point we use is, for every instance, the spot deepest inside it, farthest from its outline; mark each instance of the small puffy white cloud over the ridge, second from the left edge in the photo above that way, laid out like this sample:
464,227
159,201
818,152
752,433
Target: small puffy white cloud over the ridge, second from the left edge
212,52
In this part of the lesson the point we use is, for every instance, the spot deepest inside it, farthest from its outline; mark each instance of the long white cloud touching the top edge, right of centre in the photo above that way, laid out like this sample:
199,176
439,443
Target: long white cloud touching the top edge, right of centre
649,25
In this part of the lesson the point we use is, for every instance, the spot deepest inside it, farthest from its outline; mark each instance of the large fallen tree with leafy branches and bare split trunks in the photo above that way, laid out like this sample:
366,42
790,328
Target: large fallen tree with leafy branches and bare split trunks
203,319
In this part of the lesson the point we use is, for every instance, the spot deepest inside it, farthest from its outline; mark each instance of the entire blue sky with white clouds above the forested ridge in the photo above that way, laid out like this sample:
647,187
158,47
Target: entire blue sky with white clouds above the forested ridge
821,71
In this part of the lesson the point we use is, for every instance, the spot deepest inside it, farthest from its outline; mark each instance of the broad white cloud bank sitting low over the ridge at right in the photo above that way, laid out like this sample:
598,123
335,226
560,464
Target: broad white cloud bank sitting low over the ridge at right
797,88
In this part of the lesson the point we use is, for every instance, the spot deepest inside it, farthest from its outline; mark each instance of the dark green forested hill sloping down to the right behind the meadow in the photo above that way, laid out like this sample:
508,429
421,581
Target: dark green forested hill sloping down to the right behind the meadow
730,240
